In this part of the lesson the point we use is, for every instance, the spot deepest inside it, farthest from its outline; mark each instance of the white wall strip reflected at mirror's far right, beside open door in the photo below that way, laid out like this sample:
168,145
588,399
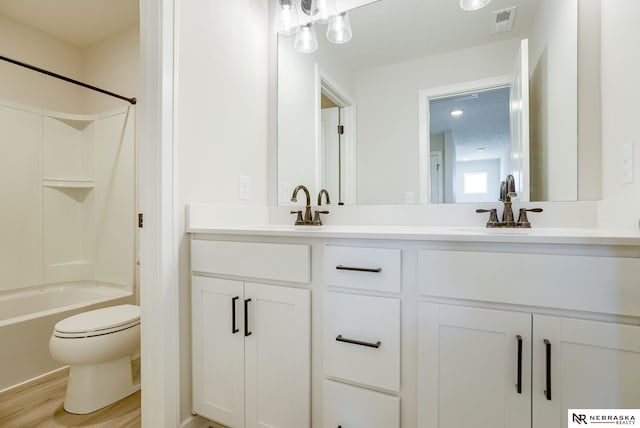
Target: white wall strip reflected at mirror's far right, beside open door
553,92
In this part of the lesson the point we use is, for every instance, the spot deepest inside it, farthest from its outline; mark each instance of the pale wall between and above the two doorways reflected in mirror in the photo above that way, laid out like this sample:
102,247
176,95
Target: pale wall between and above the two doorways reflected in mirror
387,153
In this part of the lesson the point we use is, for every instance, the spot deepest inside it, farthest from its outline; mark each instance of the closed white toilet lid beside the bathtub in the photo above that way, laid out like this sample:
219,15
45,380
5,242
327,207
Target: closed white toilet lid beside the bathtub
99,322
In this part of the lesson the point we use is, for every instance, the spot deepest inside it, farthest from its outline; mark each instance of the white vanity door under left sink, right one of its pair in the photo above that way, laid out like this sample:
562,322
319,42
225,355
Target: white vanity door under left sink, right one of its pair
277,353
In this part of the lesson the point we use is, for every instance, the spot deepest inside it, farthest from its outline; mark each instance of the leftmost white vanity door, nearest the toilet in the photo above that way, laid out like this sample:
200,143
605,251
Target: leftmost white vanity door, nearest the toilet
218,350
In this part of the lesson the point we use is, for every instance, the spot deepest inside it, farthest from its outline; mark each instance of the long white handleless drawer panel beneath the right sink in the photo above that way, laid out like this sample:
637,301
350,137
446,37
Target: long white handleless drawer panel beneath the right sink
582,283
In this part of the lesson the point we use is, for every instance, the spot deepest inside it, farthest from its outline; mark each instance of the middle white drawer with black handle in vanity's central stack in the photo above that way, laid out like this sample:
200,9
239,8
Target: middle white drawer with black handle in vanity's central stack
362,339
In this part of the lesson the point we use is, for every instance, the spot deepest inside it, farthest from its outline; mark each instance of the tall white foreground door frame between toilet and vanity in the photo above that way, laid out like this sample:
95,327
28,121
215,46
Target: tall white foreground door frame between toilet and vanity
158,251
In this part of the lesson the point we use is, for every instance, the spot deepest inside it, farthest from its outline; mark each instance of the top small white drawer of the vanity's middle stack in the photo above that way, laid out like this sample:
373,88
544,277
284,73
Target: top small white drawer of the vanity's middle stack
362,268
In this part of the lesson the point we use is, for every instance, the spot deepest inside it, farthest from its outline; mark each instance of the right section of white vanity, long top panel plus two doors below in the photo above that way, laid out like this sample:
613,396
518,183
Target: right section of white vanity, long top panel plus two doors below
525,368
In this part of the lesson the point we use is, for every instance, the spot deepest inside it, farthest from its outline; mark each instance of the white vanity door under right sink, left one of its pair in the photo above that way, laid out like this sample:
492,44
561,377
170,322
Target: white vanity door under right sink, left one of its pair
470,362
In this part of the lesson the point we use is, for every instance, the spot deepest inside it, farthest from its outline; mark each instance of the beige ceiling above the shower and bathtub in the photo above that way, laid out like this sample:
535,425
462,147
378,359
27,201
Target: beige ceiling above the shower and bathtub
81,23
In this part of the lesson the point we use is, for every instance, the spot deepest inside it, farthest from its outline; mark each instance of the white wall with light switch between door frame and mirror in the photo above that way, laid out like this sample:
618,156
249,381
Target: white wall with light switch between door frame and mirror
221,125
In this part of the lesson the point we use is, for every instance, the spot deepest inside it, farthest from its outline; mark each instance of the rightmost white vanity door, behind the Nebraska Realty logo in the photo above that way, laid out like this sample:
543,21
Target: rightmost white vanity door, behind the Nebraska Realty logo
590,365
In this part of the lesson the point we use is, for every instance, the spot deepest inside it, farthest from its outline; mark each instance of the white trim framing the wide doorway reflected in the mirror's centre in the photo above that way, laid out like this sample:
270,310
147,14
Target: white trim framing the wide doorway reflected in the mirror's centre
426,95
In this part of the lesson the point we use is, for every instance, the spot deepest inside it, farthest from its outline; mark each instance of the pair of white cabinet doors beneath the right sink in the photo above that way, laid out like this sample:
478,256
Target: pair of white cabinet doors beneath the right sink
517,369
